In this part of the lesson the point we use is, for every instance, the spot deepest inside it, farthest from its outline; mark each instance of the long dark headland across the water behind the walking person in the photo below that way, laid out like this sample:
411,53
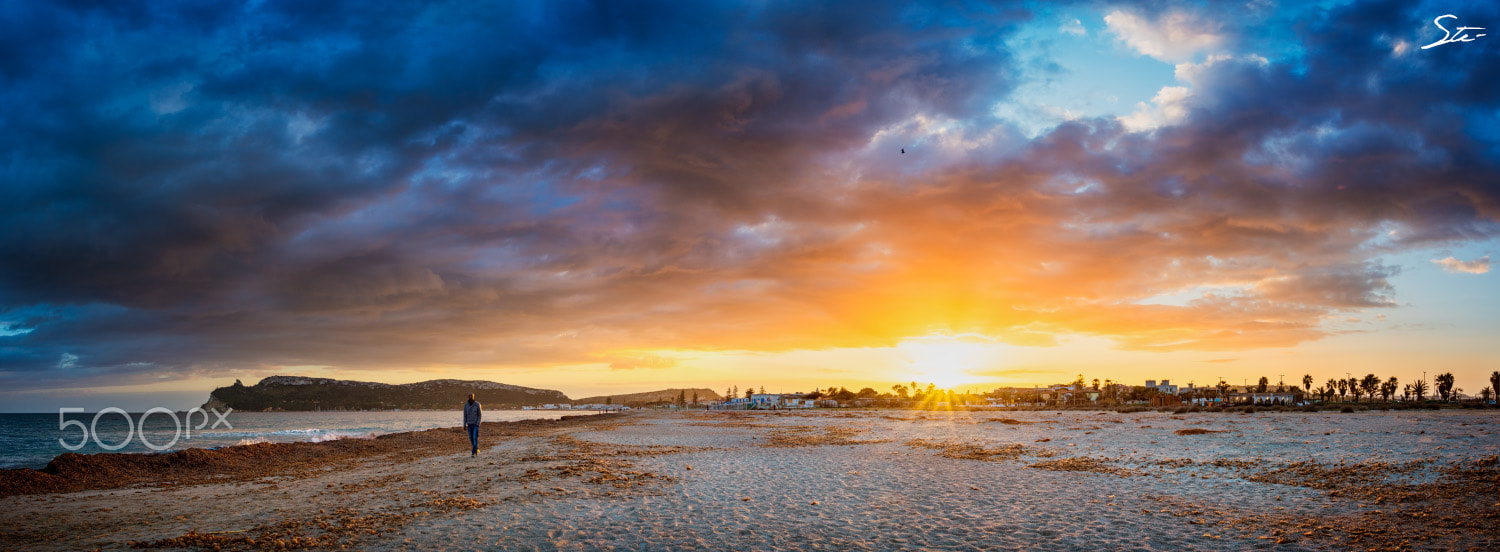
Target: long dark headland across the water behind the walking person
302,394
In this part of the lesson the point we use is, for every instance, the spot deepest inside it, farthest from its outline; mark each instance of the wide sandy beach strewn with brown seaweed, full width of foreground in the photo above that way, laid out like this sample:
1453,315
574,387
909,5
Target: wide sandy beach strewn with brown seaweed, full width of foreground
863,481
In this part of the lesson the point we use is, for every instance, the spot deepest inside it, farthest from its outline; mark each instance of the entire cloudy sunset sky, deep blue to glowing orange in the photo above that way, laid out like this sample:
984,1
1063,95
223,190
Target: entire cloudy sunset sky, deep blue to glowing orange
632,196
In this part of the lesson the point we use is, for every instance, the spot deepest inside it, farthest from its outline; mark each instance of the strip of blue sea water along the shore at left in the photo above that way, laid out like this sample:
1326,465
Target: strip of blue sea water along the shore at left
32,440
